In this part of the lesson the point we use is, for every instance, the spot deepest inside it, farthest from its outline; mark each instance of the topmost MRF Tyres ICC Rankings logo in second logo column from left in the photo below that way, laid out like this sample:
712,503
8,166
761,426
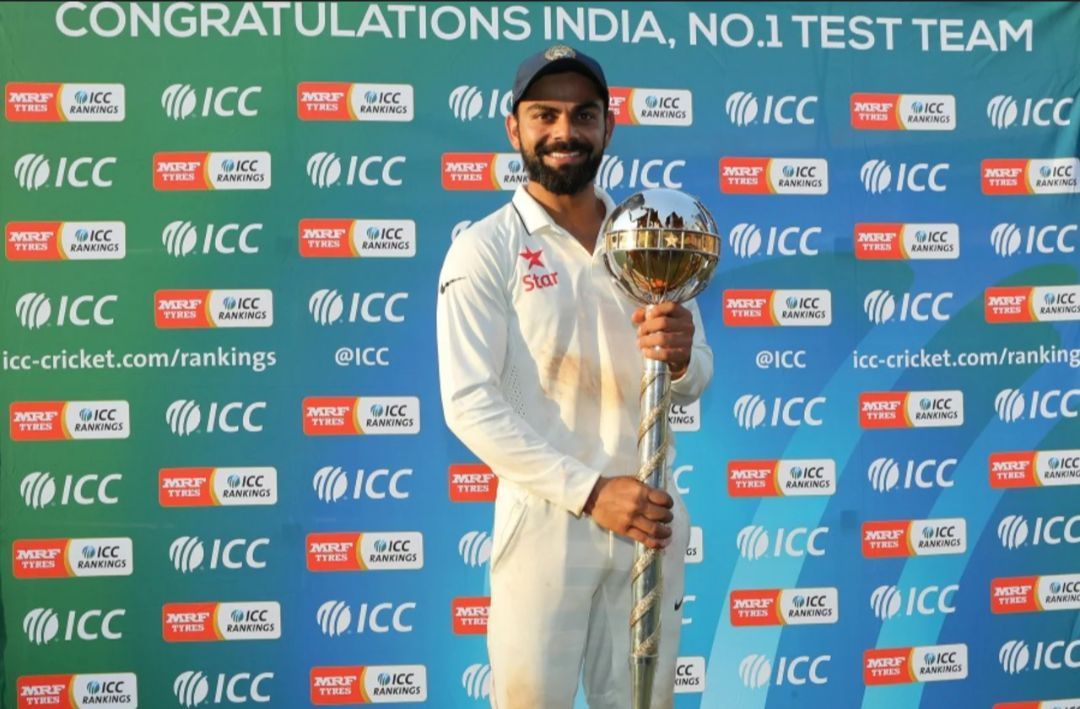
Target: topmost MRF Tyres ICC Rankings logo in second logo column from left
205,170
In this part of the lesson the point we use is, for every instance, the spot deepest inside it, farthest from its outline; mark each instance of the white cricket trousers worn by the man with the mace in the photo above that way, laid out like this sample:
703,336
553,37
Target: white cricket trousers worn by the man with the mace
561,600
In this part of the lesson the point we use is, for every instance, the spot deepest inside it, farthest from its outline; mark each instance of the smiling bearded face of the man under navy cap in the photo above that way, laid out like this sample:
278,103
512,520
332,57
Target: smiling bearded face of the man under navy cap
561,128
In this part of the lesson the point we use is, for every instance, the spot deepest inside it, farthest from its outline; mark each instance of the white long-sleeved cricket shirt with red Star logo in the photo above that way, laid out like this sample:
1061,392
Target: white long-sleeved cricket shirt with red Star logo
538,359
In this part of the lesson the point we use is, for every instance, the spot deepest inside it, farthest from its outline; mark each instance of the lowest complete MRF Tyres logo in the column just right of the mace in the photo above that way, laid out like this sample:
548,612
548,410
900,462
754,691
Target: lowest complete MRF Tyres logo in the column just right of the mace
785,607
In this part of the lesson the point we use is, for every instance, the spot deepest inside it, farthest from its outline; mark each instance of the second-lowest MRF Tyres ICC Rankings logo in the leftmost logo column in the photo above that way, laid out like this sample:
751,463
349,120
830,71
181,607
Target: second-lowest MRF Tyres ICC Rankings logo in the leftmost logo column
69,558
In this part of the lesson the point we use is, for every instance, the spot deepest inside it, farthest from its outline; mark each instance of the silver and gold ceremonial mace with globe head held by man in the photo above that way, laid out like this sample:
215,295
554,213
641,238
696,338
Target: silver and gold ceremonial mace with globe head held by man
659,245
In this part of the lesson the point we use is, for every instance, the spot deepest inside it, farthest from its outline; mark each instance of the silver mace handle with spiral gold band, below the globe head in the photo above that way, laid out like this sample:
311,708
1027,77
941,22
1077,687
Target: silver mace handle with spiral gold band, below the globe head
646,582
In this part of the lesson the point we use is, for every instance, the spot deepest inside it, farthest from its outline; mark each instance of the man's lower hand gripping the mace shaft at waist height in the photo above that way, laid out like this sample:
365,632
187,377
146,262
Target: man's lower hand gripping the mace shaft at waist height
630,509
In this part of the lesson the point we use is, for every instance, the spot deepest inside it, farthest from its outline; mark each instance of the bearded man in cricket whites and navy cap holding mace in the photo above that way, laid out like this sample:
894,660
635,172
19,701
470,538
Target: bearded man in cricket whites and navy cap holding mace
541,370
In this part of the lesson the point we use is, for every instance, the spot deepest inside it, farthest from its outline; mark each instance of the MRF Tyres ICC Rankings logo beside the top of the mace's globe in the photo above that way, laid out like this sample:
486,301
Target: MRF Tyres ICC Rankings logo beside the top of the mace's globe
774,176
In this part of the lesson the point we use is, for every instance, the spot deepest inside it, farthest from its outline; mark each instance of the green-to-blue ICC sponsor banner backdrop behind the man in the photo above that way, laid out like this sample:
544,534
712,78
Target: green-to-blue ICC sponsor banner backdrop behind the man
227,479
